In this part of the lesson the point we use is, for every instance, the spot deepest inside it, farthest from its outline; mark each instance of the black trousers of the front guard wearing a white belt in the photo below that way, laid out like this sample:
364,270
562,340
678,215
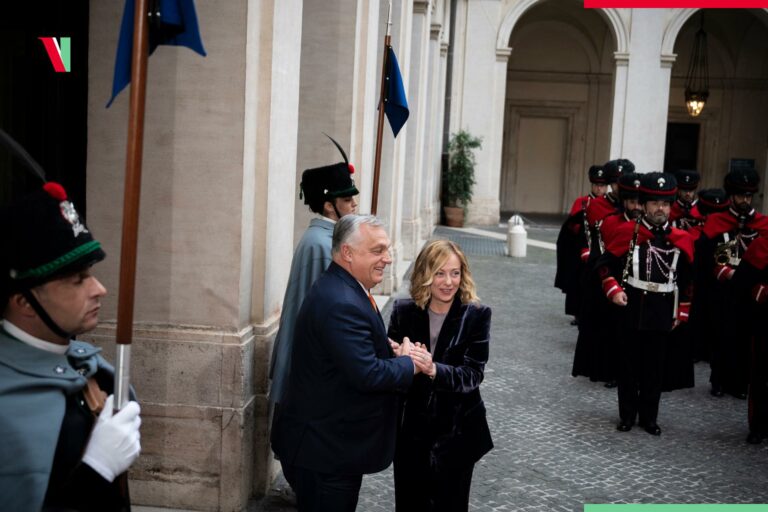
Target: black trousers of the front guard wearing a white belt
640,374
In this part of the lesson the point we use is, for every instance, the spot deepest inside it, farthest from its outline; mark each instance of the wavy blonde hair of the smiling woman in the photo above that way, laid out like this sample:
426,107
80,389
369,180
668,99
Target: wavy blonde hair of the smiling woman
431,258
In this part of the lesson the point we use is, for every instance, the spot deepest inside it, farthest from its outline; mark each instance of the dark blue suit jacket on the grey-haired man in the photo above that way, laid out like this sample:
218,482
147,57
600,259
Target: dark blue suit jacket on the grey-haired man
341,408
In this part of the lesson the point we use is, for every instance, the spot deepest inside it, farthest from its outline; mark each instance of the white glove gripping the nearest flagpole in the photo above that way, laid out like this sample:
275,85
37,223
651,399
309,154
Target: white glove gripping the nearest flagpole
114,443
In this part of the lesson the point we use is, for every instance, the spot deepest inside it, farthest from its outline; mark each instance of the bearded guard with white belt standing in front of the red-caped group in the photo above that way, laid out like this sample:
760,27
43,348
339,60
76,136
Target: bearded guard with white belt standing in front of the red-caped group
646,272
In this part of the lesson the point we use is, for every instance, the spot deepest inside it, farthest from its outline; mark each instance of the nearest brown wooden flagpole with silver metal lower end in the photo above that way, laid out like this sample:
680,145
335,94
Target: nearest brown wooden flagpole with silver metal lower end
131,197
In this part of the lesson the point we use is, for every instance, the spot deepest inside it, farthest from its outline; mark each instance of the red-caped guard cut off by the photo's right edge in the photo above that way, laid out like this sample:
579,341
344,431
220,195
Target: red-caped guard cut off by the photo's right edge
750,284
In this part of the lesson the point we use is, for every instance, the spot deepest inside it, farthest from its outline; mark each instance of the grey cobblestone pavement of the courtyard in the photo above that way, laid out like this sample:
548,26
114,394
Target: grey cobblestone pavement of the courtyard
556,443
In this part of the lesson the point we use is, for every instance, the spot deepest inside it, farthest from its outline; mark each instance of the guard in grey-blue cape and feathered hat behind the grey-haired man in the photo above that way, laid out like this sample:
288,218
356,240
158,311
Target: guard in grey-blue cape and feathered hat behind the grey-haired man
330,192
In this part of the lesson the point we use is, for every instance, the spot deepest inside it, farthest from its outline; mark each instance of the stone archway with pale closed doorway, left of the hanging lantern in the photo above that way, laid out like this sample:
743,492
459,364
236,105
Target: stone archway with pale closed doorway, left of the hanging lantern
558,99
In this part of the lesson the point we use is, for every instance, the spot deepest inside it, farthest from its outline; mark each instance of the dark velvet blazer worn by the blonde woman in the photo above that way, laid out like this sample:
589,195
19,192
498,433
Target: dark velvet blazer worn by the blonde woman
447,414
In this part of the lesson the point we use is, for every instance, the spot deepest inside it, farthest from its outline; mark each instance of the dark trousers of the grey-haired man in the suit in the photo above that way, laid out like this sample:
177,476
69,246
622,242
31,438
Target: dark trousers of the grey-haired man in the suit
323,492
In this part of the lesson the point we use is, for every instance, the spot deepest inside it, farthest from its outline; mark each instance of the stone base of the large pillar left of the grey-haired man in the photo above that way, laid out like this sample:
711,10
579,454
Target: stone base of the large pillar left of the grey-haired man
205,414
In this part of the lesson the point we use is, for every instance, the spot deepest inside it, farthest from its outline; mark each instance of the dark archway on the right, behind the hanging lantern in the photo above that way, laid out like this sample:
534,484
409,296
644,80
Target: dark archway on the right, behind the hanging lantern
731,130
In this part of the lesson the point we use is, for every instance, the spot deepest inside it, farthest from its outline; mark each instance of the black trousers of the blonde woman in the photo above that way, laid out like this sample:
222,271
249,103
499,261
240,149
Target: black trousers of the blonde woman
418,488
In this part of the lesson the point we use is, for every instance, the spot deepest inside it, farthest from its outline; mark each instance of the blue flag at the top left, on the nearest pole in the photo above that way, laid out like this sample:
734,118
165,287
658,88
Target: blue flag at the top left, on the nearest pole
176,26
